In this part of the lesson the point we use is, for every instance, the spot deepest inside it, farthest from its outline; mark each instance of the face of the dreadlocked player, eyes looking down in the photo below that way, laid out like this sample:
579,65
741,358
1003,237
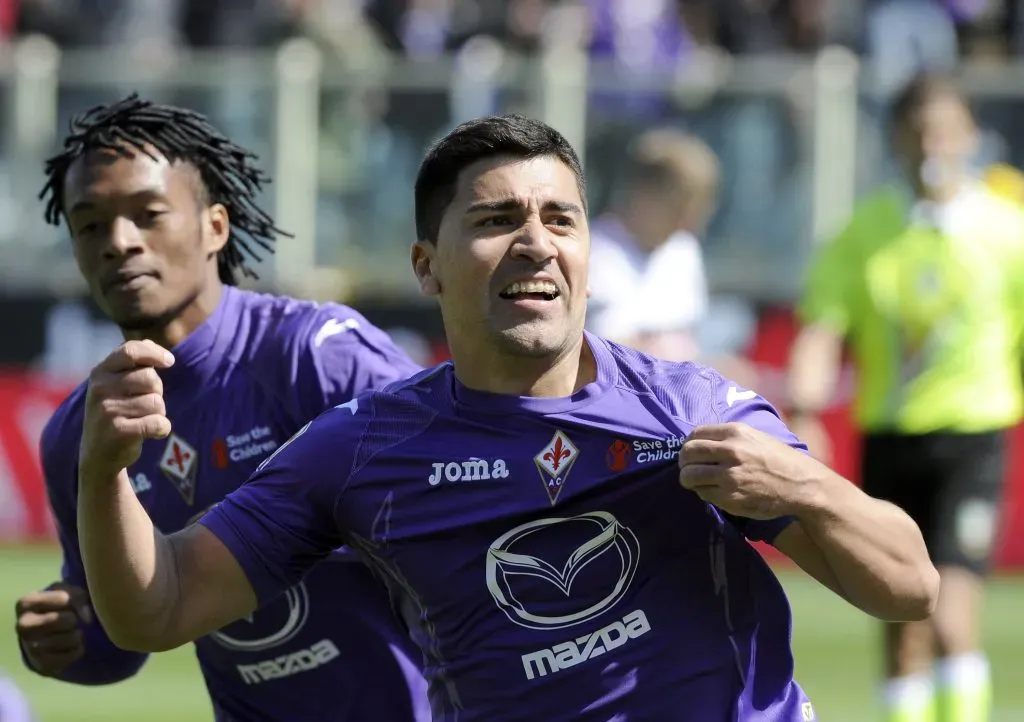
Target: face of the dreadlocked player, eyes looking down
144,240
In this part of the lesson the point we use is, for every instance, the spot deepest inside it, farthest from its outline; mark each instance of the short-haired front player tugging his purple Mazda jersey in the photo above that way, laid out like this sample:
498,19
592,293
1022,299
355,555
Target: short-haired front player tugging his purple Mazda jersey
561,520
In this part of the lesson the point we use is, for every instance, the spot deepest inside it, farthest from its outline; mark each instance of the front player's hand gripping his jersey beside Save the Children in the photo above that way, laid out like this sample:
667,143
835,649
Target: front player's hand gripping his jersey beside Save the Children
748,474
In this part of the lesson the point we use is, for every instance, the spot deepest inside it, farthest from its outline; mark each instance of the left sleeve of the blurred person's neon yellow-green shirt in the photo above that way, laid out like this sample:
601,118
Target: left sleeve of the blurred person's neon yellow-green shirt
828,296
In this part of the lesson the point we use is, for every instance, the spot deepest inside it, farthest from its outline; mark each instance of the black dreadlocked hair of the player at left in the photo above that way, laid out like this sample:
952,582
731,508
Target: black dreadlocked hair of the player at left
228,171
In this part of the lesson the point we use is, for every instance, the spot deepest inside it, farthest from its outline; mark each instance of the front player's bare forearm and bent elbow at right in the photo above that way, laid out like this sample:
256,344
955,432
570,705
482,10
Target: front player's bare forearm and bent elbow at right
875,551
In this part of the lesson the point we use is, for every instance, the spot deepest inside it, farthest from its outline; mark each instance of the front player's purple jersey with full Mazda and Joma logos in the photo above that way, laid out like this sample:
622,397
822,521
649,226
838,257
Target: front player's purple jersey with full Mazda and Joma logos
542,551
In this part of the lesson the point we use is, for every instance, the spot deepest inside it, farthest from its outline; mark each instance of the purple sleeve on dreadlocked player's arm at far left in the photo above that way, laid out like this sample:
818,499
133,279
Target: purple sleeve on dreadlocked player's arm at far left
104,662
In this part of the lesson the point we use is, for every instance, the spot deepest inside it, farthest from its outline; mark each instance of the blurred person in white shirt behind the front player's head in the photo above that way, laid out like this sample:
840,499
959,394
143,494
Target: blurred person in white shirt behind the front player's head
648,280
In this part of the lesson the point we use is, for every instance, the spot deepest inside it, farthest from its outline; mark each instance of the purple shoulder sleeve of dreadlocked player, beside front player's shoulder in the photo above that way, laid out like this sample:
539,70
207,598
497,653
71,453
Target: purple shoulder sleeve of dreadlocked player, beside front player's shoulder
338,356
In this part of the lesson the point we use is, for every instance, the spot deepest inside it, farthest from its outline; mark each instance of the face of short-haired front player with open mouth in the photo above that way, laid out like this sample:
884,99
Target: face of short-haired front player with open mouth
511,261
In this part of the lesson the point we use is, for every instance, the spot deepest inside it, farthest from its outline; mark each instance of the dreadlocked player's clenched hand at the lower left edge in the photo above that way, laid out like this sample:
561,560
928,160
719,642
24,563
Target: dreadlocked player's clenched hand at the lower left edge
49,627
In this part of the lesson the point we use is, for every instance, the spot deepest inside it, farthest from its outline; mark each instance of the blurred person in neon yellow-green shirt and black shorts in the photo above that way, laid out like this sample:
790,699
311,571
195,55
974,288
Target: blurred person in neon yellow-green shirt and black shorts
927,283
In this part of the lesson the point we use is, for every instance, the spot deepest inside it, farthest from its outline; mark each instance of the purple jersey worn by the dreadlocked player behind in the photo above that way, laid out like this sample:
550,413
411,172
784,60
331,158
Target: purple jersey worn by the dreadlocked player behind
242,385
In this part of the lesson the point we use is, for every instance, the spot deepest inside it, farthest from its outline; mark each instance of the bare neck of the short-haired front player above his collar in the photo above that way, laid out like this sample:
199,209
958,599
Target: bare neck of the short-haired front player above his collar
524,376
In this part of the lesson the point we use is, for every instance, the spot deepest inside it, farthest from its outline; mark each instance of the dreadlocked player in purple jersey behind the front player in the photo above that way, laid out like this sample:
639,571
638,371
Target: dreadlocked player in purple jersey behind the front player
163,219
